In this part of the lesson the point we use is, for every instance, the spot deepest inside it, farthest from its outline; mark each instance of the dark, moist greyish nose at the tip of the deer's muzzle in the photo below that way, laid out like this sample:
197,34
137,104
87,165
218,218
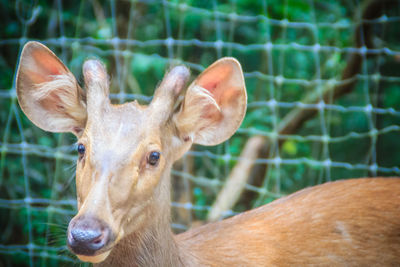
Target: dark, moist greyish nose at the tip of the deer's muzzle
86,236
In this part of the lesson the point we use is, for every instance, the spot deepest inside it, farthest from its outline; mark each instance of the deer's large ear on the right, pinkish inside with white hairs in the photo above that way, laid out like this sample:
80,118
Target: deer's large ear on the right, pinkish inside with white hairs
214,104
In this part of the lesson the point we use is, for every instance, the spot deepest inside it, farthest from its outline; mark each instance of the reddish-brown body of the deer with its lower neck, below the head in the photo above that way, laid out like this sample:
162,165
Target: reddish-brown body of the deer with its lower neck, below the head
318,226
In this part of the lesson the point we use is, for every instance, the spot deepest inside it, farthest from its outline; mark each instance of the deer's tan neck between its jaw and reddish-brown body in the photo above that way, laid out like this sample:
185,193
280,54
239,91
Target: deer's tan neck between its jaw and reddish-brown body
154,243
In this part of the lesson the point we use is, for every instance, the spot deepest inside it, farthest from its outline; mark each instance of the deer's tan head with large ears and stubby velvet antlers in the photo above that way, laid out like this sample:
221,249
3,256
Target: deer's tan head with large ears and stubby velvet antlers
126,151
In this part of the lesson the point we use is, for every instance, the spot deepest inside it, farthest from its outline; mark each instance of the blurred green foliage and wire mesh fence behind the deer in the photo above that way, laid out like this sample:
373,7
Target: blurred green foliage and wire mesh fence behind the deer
323,83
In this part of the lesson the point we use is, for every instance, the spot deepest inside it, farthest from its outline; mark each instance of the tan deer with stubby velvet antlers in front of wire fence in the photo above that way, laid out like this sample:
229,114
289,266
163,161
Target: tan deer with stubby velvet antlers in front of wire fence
125,155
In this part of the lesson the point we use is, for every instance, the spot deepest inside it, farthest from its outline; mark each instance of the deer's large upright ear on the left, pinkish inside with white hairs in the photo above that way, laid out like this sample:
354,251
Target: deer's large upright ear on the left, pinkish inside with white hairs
48,92
